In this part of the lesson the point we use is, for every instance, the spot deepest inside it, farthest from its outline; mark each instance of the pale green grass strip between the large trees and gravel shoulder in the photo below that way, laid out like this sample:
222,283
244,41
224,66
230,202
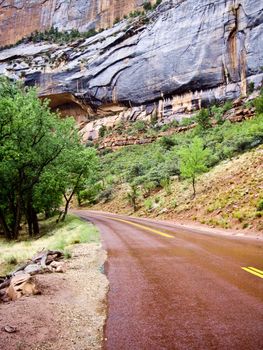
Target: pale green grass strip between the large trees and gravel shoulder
60,236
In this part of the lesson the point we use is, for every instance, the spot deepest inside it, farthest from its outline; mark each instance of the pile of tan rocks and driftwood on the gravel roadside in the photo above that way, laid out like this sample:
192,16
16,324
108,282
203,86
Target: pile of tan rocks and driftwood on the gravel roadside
22,281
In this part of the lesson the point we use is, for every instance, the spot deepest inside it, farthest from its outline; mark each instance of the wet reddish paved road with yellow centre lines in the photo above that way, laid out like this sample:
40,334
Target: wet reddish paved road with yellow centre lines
176,288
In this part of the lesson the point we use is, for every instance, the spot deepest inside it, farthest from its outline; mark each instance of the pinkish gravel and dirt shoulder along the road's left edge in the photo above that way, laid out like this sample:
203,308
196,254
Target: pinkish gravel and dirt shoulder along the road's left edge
69,314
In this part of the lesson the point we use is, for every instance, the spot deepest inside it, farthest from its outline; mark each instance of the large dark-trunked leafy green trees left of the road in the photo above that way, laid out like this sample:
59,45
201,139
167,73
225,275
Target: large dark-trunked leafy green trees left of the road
41,158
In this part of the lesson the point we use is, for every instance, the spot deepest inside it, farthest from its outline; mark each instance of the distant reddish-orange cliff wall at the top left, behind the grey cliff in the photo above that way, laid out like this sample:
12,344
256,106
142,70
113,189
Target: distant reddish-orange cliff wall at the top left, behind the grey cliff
19,18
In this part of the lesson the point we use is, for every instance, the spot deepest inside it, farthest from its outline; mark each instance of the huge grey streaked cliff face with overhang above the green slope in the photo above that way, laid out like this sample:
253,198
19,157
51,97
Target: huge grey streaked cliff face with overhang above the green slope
190,53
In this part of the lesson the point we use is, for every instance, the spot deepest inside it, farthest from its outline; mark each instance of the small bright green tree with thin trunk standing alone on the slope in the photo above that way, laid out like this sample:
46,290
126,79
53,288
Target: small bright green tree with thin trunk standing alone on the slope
193,161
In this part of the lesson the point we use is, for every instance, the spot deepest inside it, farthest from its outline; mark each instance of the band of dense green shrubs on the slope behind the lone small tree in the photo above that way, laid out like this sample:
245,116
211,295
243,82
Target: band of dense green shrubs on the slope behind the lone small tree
149,166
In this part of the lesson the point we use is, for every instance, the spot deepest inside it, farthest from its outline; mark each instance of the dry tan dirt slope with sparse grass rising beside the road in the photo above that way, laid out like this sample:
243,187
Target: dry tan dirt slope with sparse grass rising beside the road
228,196
